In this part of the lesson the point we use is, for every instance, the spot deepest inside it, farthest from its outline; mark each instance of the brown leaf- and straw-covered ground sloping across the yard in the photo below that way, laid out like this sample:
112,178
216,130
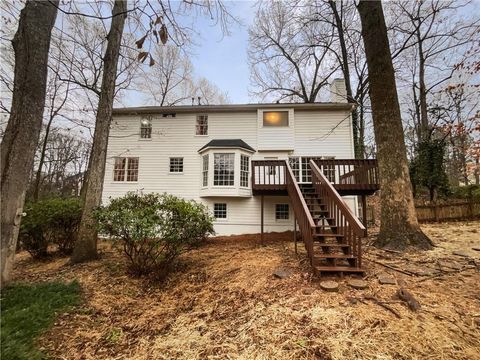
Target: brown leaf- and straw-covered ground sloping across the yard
224,303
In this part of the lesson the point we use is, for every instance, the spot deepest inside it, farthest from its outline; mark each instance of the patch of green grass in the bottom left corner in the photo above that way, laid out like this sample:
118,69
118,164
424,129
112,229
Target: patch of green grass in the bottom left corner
27,310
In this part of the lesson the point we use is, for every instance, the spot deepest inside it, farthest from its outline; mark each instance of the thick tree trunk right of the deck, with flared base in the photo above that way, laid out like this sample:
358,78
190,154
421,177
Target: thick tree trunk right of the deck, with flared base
399,226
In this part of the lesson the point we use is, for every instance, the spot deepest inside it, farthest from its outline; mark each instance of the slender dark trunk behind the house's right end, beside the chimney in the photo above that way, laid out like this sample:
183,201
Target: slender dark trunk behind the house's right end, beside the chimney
346,74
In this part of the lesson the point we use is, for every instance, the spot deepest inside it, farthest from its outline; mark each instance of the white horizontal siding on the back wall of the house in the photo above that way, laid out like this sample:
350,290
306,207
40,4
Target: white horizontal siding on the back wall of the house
175,137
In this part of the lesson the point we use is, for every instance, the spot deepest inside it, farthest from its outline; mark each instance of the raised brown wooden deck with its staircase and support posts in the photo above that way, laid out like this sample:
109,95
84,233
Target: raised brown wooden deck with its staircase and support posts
330,231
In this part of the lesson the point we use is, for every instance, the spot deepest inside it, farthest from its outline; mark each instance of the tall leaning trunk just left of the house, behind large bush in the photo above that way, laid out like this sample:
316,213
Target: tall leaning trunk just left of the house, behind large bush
86,245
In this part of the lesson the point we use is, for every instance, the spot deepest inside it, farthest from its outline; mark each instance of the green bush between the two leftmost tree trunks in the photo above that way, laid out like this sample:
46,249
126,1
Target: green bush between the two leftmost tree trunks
51,221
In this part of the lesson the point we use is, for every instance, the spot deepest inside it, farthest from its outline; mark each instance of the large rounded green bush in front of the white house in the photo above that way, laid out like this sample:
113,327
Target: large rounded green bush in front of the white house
154,229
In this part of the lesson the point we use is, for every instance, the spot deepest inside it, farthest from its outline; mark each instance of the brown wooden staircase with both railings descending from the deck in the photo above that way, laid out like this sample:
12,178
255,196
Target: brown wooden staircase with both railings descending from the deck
331,232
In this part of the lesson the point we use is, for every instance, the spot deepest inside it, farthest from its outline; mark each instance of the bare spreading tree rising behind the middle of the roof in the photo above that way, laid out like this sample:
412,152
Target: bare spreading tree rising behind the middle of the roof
290,60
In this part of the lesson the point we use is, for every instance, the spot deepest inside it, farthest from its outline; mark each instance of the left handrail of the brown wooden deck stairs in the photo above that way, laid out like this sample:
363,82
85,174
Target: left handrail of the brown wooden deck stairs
302,214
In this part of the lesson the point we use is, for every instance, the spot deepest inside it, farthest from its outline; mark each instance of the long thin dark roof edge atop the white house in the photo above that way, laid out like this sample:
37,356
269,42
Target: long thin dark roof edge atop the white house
230,108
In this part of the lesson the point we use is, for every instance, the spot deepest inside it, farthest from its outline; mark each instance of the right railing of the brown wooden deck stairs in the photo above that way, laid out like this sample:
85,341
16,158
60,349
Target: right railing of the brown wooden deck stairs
347,223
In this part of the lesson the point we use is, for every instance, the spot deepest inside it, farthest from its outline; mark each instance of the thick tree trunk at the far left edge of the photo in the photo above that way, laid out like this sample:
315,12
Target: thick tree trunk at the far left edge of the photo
31,45
